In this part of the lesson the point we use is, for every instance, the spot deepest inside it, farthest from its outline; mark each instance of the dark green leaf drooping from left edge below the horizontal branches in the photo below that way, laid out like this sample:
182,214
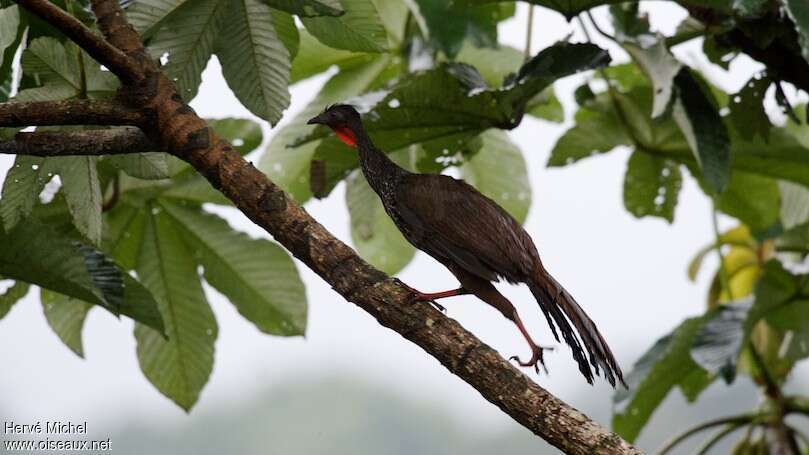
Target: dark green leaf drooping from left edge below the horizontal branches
37,254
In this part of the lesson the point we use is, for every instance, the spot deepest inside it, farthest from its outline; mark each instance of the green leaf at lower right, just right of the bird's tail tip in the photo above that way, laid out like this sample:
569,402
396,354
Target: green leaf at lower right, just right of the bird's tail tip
664,366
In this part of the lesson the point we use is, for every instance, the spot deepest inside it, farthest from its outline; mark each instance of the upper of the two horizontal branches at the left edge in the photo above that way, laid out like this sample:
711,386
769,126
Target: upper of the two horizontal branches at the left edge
74,112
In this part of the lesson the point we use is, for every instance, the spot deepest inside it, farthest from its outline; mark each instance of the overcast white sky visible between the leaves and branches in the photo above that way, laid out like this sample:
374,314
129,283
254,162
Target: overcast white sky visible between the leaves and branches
628,274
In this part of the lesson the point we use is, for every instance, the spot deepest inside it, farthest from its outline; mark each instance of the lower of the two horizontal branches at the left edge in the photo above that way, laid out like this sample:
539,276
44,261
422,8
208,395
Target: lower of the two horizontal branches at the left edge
114,141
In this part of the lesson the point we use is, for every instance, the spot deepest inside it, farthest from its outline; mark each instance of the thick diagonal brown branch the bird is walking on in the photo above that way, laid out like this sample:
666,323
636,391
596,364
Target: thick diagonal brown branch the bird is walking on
177,129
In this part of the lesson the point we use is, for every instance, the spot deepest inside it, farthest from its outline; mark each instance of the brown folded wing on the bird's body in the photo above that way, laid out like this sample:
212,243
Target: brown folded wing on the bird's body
451,220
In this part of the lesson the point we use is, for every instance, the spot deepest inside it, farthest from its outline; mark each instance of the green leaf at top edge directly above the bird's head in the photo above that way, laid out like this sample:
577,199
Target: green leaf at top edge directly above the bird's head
359,29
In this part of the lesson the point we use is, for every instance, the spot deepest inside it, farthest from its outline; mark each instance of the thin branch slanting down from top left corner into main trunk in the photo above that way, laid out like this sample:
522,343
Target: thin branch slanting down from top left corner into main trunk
103,52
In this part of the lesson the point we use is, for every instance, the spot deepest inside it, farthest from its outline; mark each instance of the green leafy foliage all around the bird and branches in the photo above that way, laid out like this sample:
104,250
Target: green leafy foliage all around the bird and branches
437,92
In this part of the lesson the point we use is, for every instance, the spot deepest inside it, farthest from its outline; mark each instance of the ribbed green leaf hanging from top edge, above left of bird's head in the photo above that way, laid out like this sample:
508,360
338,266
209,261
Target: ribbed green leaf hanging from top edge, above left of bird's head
255,62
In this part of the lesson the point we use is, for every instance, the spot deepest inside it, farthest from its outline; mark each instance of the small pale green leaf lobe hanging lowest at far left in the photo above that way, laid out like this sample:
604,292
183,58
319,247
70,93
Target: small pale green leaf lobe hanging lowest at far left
65,315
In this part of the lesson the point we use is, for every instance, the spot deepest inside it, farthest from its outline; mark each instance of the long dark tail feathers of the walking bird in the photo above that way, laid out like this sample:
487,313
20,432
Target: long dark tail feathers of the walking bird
561,308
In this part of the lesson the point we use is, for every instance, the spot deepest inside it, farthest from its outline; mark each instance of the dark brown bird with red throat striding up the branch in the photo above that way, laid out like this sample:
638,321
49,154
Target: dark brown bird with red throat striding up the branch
478,241
